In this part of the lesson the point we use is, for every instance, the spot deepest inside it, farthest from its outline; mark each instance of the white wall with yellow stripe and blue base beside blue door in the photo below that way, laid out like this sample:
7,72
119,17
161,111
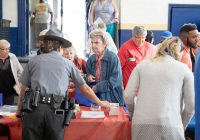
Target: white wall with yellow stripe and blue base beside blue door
152,14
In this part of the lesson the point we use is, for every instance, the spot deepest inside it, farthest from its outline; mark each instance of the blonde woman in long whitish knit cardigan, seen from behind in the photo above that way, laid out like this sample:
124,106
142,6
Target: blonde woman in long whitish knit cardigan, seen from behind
163,83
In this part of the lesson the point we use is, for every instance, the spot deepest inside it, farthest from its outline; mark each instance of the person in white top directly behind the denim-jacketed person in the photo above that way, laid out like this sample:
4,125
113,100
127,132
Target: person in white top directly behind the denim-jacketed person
111,45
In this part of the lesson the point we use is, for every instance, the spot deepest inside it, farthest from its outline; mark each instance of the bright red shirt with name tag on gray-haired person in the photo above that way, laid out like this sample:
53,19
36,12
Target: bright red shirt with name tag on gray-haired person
130,50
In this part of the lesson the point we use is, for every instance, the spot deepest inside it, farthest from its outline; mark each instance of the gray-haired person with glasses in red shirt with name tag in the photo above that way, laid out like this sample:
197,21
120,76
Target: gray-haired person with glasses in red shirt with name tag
132,52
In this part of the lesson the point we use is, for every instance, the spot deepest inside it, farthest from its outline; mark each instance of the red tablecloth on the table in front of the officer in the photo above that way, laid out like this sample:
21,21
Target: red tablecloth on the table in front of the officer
109,128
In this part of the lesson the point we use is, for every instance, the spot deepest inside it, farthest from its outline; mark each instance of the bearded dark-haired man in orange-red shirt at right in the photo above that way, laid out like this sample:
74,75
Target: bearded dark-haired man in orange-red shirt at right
189,37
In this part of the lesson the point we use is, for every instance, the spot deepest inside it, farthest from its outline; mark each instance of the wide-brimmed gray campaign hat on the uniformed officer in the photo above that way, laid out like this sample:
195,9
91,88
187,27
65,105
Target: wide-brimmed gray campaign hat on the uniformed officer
56,34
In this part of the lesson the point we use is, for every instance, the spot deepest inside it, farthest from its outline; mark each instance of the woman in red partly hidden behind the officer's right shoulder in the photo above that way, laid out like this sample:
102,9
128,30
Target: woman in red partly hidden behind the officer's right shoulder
70,53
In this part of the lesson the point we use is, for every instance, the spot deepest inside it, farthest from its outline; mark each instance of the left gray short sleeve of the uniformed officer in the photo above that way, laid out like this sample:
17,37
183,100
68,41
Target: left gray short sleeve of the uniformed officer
25,78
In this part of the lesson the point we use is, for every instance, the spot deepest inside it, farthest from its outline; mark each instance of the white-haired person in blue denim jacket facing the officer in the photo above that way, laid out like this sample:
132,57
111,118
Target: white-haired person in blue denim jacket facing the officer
104,68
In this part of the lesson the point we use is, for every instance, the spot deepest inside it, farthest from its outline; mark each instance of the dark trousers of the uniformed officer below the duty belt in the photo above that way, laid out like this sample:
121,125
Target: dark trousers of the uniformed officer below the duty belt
43,124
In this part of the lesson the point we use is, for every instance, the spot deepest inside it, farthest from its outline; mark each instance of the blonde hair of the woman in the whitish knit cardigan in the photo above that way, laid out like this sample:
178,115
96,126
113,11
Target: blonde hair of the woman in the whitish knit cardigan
170,45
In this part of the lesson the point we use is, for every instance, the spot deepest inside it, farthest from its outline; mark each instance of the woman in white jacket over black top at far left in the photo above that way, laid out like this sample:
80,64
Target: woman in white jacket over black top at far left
10,71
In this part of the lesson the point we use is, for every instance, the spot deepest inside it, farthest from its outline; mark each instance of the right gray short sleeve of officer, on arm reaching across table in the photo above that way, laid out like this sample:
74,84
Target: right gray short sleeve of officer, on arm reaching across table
76,76
